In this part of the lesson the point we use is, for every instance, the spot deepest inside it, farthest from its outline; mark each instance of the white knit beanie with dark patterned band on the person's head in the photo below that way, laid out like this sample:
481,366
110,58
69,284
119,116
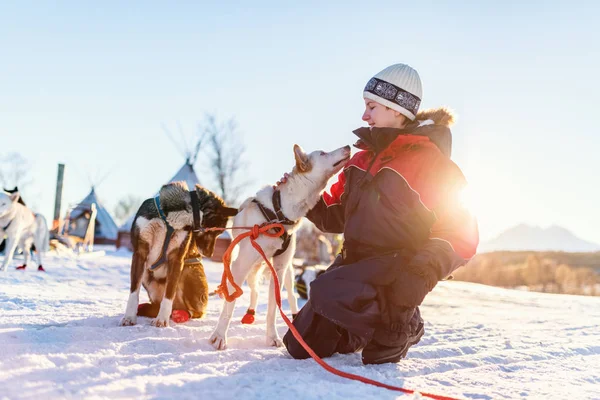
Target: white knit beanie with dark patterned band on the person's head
397,87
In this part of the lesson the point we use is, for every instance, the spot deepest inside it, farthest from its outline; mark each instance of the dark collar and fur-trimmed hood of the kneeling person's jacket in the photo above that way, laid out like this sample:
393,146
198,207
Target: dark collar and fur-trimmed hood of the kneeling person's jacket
433,123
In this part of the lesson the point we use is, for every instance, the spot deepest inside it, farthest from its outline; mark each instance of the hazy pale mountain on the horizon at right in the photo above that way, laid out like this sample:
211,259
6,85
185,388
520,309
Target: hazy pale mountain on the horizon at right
526,237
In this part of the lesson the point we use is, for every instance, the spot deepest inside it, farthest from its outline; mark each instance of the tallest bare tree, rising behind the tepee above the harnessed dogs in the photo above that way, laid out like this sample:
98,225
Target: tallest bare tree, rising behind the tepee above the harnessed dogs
225,152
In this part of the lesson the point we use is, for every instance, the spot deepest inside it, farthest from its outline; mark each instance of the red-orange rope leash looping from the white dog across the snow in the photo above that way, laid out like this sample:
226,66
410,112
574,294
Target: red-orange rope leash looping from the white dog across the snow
253,233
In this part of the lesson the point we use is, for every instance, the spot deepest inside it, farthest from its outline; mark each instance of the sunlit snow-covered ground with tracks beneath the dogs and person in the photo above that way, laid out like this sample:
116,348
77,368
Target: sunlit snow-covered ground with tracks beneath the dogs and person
59,338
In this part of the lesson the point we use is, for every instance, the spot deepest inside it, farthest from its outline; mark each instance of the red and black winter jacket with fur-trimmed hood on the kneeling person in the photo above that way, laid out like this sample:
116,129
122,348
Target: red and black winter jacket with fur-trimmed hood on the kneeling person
402,193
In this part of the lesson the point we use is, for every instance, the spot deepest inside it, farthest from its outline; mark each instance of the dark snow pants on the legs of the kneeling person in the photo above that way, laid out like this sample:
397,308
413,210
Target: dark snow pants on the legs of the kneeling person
368,304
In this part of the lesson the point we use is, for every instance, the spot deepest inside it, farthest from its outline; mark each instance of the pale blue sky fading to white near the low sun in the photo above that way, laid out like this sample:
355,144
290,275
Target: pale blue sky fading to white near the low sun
90,85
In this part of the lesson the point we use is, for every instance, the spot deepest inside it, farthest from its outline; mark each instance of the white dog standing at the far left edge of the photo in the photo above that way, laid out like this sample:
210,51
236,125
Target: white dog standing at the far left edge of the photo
22,228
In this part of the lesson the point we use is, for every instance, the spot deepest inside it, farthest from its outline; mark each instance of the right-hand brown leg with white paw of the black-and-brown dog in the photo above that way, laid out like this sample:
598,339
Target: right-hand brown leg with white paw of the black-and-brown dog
175,259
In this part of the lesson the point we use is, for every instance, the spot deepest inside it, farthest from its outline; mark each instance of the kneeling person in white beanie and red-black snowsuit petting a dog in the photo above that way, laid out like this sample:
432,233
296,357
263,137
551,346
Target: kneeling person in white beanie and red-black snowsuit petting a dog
397,203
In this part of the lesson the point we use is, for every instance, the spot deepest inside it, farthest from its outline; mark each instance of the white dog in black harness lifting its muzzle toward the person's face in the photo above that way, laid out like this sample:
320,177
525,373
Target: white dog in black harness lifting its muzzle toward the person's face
298,195
